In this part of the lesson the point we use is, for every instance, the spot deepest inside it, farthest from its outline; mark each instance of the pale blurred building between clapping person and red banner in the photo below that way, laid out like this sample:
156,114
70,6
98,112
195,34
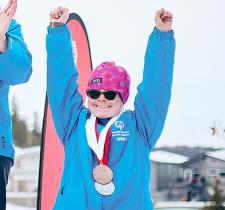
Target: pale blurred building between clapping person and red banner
23,179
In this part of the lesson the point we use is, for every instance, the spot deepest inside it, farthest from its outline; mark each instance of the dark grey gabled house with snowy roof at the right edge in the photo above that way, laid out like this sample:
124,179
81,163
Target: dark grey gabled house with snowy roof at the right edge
201,172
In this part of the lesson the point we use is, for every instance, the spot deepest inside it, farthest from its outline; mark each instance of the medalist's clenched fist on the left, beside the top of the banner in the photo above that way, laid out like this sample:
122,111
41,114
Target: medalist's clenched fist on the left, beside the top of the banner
59,15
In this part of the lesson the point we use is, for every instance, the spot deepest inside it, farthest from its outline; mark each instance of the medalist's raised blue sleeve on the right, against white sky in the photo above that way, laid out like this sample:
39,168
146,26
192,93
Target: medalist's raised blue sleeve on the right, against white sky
154,92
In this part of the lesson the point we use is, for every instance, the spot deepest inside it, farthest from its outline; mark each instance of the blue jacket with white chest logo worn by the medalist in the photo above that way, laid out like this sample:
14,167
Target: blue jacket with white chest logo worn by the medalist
128,157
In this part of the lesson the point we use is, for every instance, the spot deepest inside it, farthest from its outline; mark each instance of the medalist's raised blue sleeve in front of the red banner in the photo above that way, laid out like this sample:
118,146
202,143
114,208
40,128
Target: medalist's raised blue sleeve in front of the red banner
62,88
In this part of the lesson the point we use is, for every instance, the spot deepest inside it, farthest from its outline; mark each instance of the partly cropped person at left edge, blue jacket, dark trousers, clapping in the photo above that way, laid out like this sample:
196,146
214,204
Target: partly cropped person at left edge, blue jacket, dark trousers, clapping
15,68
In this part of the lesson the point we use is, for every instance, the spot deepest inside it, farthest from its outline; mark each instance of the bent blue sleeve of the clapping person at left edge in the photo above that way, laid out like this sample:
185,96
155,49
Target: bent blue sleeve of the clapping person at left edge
15,62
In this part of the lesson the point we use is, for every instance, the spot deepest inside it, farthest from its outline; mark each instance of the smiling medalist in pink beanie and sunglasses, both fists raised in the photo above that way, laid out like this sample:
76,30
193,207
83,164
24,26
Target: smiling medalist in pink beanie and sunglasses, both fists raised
106,164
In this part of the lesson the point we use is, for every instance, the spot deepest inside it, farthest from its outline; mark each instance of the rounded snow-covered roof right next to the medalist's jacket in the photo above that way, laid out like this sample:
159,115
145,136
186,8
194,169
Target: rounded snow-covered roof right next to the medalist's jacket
167,157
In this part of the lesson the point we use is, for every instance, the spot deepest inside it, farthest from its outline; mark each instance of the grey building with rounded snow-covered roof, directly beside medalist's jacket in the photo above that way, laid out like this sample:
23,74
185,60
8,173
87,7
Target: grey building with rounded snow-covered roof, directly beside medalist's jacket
165,173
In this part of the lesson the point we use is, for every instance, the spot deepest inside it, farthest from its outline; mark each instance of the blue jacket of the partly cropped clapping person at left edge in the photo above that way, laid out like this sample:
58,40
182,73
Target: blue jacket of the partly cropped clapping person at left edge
15,68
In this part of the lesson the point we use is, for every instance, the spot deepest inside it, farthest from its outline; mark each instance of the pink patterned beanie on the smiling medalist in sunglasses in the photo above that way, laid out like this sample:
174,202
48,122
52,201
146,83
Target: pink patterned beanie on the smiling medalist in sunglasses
107,76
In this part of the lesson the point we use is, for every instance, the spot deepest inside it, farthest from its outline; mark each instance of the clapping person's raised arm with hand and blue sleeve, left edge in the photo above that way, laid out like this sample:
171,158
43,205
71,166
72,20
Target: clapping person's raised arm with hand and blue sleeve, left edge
15,59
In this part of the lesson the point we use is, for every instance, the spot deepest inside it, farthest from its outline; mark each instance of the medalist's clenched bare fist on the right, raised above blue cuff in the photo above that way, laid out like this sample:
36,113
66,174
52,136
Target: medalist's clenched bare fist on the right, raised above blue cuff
163,20
